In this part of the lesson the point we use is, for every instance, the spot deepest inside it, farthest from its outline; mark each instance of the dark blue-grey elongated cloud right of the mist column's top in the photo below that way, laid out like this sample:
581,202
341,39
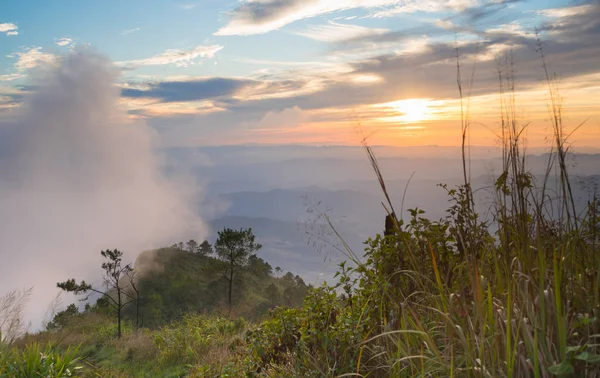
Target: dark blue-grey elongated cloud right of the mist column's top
192,90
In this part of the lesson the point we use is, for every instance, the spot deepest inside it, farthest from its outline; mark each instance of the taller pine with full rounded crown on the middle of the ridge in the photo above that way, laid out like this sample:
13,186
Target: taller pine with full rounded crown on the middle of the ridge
234,248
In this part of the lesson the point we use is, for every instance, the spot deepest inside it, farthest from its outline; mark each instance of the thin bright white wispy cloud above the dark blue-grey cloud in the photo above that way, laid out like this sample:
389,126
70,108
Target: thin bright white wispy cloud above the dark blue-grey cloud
178,57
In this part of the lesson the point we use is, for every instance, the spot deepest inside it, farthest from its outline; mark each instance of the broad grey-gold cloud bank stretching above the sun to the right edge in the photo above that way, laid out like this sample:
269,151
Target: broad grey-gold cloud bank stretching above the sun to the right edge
413,67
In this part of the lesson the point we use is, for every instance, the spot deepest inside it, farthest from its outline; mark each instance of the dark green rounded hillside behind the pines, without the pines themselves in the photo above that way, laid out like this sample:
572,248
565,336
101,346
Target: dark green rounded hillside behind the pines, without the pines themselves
174,282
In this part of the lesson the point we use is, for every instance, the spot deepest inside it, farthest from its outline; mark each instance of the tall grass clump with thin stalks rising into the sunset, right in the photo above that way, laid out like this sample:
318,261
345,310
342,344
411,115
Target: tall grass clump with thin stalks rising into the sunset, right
524,311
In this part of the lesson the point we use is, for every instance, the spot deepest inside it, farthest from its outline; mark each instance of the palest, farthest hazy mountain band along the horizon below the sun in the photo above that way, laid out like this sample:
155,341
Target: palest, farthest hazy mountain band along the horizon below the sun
264,168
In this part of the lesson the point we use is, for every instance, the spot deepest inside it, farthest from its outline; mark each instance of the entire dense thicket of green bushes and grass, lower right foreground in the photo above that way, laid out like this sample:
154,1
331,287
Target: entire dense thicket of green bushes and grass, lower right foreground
448,297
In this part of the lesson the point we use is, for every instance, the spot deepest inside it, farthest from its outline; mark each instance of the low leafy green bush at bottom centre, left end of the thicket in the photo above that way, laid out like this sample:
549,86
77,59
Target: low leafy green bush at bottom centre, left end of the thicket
317,339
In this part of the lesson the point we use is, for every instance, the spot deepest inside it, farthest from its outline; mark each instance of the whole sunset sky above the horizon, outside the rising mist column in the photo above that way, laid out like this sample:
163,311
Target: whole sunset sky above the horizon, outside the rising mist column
219,72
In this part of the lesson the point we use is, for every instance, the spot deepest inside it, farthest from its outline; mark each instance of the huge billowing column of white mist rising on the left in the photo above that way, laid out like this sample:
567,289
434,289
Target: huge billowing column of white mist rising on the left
77,178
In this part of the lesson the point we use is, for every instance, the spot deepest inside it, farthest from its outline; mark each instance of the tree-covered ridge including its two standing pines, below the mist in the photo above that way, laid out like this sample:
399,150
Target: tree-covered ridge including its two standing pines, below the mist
126,293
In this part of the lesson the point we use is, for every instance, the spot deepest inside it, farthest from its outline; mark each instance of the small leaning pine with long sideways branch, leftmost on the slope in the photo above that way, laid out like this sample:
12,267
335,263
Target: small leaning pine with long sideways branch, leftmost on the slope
115,291
